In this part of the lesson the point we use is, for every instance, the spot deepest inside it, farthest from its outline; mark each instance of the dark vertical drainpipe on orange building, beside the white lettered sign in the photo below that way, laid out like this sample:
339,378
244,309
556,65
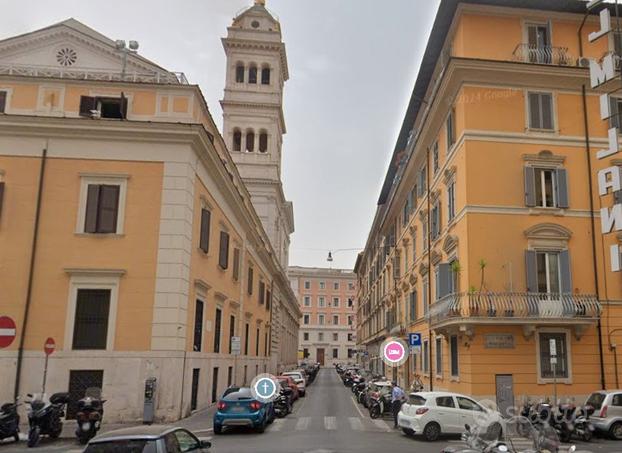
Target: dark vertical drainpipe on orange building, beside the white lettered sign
592,217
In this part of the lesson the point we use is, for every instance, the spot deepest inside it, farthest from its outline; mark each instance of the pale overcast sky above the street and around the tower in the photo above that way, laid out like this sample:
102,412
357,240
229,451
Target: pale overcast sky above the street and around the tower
352,67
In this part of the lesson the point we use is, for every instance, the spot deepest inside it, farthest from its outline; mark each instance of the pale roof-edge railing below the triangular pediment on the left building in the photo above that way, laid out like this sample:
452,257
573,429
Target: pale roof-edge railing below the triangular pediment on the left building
171,78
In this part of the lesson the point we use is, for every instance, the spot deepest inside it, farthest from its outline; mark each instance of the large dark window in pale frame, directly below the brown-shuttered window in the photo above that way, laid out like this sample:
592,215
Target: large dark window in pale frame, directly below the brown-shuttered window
90,329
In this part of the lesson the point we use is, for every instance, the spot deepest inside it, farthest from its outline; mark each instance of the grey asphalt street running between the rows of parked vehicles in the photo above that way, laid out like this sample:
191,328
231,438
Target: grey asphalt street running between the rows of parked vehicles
327,420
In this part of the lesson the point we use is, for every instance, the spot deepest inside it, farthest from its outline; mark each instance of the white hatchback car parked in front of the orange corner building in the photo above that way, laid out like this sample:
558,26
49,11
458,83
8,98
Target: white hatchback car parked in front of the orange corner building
436,413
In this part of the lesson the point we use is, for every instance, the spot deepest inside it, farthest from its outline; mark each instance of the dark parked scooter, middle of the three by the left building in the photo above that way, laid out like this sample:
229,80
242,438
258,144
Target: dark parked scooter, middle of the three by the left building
44,416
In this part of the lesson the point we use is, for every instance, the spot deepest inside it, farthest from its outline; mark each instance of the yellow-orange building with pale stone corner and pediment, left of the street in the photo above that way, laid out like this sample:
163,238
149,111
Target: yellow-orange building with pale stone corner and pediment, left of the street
127,234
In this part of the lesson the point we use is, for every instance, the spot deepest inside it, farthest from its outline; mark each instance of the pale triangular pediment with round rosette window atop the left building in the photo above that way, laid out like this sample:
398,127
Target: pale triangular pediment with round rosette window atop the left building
71,45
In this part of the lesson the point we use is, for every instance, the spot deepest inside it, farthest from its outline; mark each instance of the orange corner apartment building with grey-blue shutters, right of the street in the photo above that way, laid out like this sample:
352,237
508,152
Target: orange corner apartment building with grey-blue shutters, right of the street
487,237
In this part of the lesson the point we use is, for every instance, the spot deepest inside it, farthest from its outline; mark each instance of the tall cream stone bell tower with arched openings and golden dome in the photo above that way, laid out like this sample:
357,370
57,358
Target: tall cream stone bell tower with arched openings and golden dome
253,120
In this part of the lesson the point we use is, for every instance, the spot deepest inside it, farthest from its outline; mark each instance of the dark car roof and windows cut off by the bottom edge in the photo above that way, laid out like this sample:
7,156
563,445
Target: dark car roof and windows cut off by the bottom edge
147,439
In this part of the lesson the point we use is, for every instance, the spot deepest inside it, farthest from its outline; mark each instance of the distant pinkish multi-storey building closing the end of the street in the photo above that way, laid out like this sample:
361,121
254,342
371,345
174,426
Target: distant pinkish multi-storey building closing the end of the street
327,299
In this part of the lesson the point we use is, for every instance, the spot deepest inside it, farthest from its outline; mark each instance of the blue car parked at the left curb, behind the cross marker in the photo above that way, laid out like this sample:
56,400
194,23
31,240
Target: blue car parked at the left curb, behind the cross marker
237,407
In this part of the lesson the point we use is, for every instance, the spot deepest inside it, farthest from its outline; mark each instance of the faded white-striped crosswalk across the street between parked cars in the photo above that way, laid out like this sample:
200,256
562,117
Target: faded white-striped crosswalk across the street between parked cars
330,423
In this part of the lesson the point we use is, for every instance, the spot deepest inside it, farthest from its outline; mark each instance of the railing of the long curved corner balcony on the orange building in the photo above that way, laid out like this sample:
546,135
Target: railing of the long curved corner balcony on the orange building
514,307
